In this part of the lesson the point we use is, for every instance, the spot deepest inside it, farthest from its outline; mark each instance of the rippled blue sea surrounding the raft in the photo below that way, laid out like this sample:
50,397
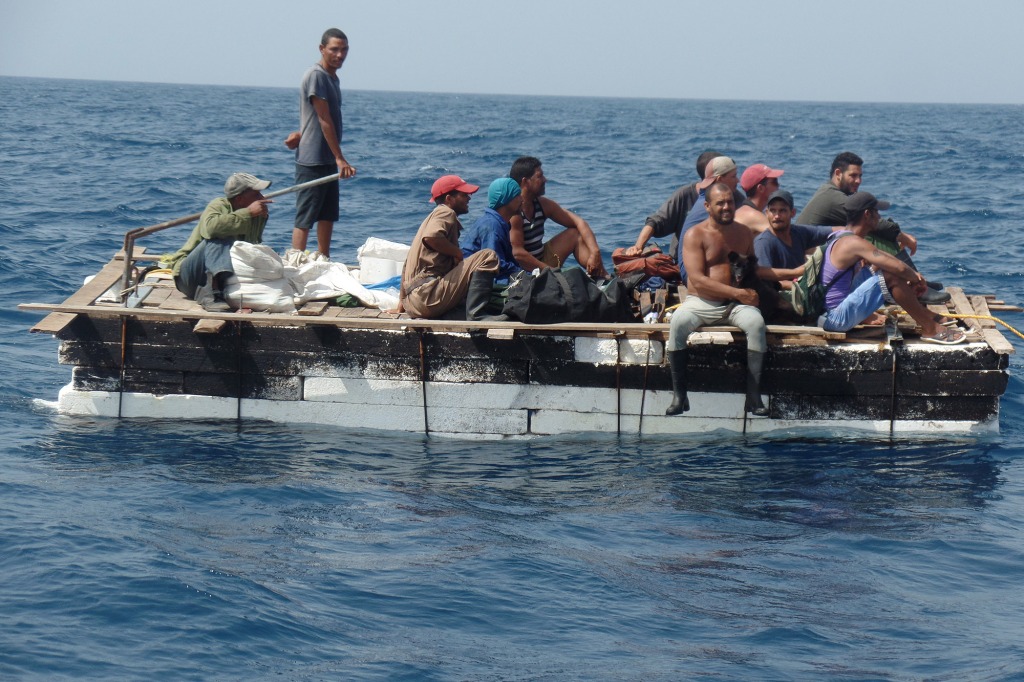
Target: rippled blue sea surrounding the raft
141,550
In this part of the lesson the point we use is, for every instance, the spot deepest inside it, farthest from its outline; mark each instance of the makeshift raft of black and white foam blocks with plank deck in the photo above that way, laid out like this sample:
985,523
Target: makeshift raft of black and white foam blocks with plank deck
162,357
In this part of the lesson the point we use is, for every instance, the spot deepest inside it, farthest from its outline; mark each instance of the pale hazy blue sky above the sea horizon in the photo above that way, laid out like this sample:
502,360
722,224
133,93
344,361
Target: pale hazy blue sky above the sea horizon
872,51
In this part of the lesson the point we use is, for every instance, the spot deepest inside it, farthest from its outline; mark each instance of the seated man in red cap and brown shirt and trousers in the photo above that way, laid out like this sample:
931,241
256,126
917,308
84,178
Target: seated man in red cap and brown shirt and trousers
437,278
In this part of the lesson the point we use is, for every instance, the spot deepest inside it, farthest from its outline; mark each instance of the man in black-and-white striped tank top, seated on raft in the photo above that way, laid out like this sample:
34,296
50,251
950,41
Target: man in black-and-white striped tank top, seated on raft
529,247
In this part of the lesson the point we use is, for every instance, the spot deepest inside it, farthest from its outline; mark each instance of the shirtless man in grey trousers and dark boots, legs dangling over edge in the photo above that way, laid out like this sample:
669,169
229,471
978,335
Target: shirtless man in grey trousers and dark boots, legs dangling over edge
712,297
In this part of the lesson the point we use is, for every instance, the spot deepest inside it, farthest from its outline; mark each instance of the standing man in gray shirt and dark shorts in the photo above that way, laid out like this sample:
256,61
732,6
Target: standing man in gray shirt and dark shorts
318,145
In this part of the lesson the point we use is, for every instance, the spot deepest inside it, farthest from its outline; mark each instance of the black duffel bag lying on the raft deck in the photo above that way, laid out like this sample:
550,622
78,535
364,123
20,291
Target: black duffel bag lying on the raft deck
559,296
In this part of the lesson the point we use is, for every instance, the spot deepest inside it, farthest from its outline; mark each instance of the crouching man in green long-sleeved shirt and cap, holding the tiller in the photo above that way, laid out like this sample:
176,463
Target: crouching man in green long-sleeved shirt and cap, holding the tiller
201,267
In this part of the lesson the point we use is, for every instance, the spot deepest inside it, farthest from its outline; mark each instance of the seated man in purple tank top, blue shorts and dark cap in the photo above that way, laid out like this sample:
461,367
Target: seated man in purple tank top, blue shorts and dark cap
856,292
